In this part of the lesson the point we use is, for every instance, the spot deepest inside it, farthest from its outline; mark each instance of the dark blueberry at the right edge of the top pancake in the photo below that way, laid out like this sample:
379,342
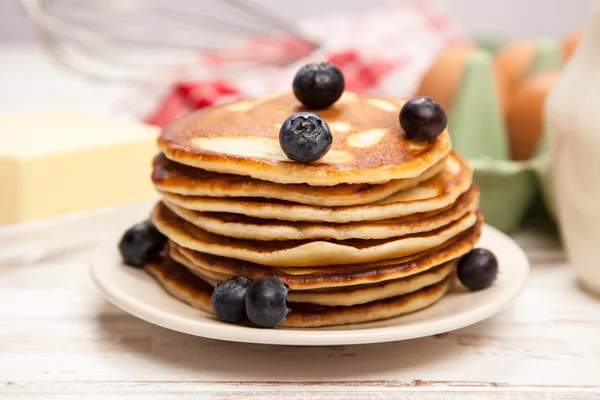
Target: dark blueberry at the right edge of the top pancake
423,119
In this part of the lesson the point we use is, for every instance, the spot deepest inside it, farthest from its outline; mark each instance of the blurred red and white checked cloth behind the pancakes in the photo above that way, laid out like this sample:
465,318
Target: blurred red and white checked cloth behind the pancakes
385,51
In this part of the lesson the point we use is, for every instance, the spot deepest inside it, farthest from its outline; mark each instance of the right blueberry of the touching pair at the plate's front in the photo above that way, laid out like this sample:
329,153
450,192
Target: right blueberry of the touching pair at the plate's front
265,302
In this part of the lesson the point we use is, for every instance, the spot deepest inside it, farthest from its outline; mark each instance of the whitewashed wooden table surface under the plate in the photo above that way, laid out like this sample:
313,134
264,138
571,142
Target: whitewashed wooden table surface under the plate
60,339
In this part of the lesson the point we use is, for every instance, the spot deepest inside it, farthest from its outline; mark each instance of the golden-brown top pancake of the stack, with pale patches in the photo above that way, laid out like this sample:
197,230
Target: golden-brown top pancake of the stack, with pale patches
369,146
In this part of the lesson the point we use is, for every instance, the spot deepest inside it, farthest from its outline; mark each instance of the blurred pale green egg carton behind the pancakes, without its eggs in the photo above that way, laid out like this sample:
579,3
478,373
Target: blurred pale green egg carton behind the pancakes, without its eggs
476,124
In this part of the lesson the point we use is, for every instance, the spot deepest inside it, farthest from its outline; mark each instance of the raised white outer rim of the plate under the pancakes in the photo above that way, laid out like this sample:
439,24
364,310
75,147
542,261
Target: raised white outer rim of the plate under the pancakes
131,304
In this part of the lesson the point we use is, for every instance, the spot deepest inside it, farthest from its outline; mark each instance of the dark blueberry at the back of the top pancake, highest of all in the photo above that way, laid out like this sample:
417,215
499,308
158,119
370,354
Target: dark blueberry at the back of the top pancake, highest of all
318,86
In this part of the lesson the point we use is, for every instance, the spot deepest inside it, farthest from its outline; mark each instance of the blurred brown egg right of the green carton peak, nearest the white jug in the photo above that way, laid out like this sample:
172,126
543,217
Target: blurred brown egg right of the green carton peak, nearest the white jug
525,114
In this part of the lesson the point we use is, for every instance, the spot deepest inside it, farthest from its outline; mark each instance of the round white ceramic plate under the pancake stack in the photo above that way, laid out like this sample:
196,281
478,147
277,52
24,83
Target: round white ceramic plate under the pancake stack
137,293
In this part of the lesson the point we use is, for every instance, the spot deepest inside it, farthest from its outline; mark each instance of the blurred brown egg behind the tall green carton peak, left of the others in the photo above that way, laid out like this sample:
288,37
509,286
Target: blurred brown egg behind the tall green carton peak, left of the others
444,76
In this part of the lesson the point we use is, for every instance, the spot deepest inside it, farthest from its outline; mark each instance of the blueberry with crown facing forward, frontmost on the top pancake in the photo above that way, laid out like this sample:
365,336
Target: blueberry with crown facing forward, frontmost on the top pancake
305,137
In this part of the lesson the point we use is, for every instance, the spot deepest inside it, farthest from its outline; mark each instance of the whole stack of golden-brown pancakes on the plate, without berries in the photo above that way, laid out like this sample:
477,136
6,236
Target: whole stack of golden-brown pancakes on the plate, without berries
372,230
